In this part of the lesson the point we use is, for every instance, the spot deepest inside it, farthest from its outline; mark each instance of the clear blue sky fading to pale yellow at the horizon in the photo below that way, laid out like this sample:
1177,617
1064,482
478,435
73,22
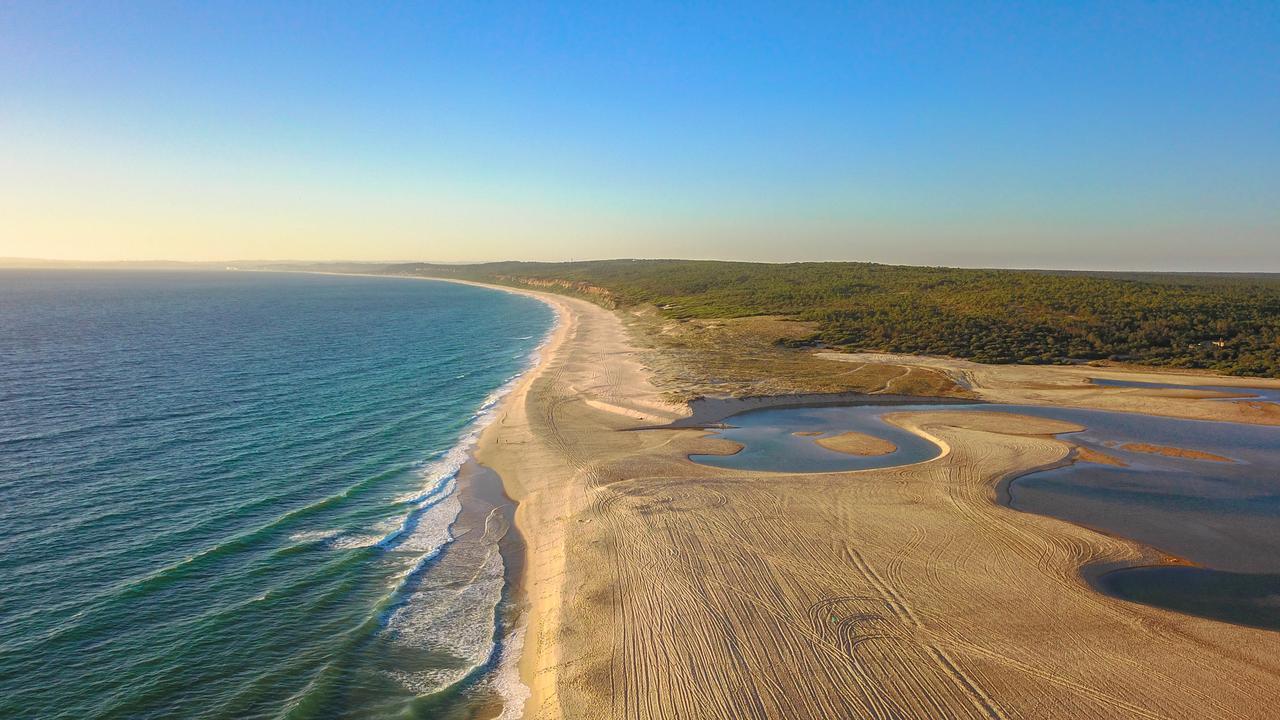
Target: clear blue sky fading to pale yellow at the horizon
1109,135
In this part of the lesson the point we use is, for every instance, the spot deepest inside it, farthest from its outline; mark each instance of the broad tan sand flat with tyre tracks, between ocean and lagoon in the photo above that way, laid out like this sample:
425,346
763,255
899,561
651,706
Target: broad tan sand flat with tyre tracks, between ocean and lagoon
665,589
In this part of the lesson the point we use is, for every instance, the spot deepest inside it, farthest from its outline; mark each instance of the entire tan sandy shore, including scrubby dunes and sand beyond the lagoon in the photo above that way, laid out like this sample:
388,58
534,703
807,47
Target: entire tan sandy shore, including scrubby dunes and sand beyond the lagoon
657,587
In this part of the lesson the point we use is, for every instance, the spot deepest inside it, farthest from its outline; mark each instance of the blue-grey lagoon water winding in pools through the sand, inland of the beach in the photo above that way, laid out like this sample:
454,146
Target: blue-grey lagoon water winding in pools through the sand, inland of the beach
1222,516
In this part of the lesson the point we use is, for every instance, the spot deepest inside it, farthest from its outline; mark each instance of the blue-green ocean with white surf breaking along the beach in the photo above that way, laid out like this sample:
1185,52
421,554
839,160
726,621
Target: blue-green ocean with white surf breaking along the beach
236,495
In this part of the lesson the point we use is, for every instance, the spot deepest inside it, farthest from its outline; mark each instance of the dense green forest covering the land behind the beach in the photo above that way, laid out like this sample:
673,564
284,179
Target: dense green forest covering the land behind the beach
1190,321
